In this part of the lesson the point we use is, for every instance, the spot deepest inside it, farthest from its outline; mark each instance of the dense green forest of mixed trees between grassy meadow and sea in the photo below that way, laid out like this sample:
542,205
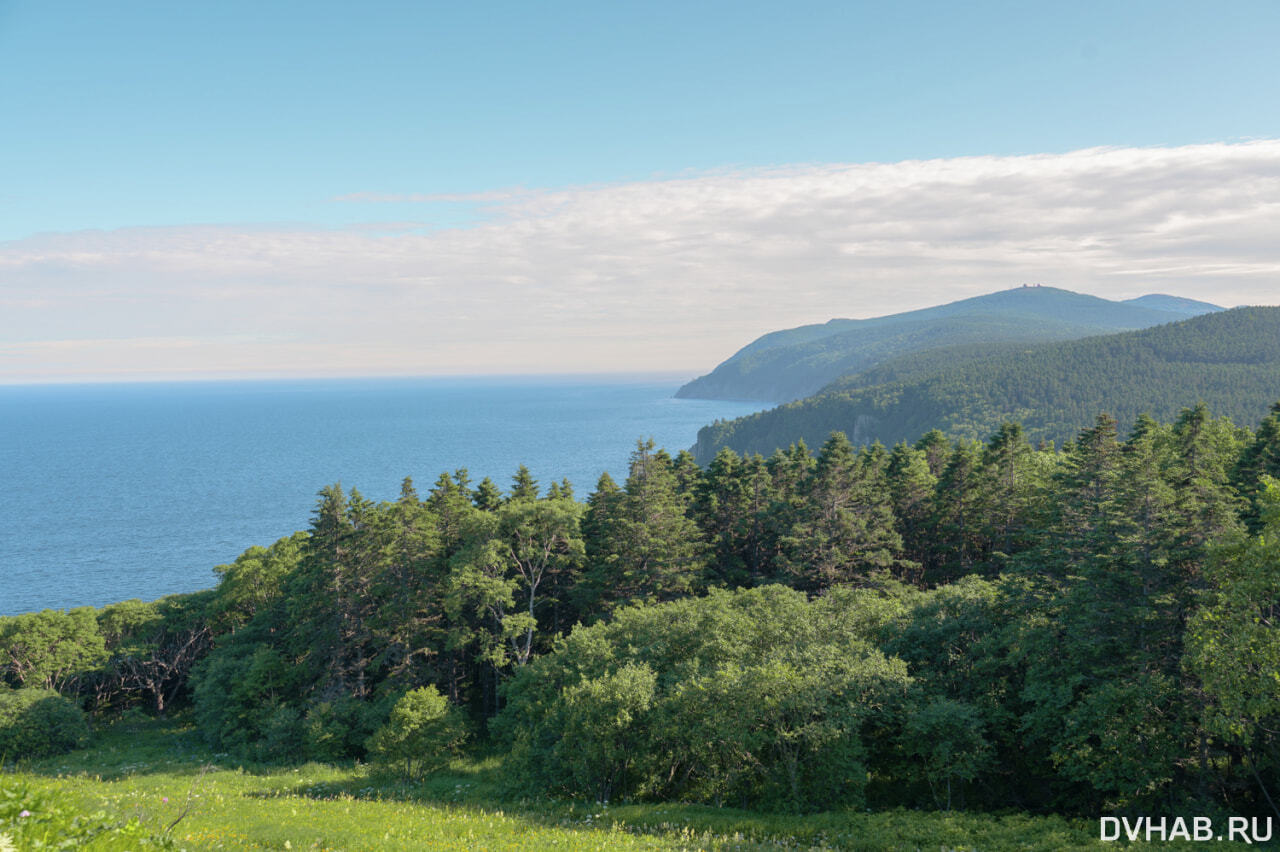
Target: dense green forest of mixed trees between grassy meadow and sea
943,625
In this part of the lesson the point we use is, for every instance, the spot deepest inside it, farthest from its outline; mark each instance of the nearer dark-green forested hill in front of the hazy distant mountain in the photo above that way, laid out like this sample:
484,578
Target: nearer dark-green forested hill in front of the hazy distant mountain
1229,360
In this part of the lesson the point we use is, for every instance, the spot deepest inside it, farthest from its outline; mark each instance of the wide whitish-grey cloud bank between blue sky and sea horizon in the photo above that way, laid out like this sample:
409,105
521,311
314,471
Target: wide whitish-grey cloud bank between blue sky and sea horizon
671,274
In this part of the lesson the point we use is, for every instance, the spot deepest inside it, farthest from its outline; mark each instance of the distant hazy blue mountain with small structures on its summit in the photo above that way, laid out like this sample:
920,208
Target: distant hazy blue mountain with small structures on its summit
797,363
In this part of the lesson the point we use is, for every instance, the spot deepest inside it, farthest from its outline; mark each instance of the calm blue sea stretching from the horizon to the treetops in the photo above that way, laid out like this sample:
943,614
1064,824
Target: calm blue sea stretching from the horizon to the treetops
138,491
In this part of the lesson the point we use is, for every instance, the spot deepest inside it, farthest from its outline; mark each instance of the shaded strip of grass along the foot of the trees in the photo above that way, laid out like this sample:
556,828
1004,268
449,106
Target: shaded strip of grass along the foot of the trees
479,786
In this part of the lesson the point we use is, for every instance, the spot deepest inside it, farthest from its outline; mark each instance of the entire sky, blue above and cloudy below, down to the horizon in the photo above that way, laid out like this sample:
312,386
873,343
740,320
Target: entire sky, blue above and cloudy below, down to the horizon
223,190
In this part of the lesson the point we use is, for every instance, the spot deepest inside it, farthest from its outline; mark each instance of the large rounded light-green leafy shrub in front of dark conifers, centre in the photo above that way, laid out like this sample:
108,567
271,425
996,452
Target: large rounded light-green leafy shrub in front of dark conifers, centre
756,698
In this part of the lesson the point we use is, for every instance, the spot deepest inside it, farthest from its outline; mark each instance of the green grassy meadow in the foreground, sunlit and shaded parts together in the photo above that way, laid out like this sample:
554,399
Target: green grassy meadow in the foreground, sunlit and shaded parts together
143,776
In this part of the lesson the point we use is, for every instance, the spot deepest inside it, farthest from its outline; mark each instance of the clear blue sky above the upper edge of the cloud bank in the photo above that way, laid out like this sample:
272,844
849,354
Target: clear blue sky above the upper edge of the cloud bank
179,113
